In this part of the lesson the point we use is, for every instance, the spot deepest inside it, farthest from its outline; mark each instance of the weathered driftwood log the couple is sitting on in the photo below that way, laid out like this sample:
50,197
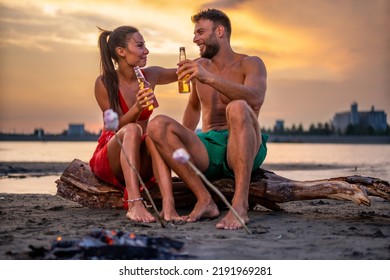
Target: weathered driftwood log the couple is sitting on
77,183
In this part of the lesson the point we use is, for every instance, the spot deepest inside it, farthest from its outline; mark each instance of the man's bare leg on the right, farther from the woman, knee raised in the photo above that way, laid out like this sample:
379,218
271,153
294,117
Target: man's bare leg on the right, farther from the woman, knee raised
244,142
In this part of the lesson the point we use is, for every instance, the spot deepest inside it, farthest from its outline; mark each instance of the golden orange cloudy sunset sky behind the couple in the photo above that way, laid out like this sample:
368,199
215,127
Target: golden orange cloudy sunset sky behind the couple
320,55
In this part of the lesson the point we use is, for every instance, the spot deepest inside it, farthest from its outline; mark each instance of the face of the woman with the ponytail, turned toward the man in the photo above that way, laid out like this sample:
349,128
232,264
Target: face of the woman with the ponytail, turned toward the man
136,52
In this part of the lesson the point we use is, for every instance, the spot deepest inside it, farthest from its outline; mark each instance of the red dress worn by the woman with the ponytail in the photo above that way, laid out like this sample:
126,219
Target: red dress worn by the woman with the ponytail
99,163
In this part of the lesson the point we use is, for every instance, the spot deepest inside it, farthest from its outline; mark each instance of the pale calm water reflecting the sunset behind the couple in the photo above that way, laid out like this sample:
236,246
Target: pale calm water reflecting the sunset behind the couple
298,161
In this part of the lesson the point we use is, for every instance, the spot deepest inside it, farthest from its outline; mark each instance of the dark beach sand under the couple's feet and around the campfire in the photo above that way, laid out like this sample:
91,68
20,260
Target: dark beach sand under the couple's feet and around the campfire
315,230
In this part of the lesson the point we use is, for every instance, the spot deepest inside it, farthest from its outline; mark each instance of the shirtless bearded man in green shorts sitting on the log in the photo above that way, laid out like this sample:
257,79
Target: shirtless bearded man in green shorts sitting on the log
228,90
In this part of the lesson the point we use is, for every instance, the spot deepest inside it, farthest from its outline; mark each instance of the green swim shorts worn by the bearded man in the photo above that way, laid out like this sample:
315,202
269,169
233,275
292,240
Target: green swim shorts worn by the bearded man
215,142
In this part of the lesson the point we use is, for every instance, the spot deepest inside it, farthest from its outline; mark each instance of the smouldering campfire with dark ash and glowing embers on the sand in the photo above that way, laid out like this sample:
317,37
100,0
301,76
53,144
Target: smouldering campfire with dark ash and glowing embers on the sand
111,245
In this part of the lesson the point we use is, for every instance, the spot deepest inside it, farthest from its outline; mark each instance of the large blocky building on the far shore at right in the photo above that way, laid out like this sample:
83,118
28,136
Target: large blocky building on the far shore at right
376,119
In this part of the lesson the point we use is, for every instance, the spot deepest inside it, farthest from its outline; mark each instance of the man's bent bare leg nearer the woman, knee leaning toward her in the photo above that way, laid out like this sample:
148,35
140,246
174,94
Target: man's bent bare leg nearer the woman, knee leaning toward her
168,136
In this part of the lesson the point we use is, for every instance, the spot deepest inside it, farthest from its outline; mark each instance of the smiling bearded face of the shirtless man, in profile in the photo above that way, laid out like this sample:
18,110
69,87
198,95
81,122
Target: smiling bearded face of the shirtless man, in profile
204,37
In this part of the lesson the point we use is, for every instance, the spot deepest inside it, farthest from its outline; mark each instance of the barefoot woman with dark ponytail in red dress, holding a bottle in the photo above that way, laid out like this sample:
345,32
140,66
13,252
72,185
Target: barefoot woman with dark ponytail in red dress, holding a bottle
117,88
